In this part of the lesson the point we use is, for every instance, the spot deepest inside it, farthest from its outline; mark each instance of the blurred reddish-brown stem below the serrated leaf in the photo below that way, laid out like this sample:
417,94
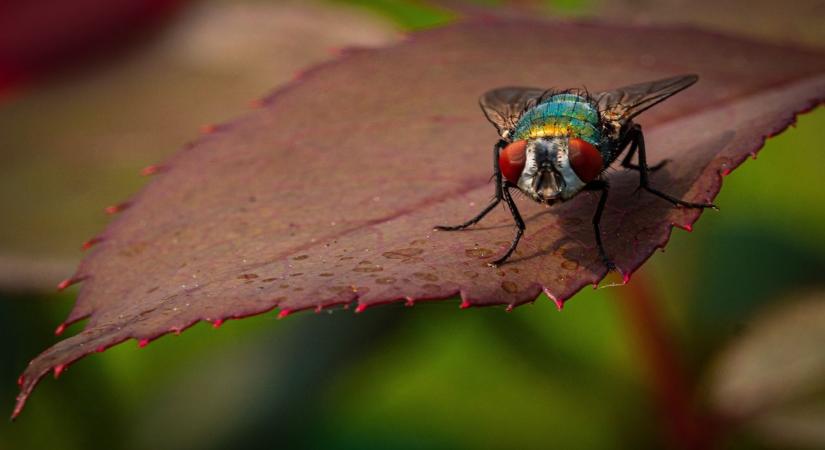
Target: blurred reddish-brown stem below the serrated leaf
672,384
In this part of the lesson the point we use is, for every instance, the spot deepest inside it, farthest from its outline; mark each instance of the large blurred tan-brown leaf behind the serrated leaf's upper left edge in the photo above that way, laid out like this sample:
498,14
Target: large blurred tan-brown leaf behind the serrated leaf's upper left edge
77,142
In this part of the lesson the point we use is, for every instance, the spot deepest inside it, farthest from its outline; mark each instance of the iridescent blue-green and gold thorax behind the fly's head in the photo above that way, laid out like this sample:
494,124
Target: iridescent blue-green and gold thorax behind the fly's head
564,114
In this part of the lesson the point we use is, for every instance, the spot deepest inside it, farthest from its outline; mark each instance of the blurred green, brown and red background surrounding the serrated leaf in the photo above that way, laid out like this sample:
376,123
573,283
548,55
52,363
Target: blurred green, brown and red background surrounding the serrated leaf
725,330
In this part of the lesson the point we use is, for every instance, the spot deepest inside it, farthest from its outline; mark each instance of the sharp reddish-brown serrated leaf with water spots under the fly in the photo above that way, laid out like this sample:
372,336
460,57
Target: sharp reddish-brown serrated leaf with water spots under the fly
328,195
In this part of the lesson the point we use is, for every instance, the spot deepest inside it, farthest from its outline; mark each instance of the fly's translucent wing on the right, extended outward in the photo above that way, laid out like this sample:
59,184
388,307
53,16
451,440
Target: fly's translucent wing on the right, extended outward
627,102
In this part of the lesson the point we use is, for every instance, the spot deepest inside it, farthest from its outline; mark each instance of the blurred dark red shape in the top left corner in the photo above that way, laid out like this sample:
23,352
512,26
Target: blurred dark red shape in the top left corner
39,38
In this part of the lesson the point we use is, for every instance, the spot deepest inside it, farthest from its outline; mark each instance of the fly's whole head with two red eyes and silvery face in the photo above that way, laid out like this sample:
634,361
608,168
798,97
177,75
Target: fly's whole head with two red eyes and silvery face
550,169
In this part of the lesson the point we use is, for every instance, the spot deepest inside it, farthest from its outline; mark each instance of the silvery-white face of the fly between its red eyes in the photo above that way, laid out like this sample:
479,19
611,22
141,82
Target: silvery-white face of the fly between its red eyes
548,176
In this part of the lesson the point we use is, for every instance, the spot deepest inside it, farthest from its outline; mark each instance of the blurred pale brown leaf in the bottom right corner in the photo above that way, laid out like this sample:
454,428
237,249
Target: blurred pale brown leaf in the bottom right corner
770,379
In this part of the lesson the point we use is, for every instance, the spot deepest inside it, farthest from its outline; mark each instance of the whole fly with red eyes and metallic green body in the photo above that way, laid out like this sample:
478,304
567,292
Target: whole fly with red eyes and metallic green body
556,144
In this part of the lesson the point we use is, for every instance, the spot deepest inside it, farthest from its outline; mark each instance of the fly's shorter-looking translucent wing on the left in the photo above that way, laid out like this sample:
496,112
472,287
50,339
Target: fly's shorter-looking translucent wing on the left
504,106
